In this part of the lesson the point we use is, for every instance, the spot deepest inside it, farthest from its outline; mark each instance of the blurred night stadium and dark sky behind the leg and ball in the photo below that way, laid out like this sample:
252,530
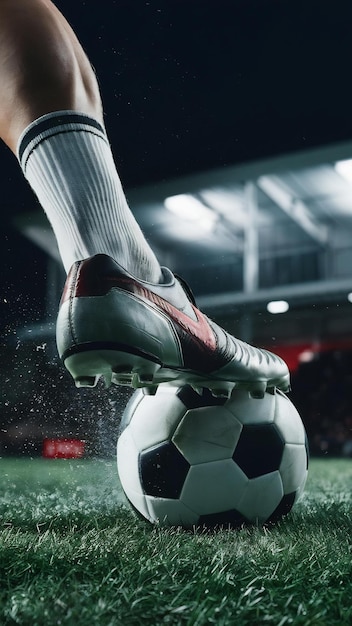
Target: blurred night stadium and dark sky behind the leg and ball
232,132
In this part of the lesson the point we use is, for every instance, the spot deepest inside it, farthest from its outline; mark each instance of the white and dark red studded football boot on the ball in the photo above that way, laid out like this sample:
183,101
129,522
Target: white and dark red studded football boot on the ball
132,332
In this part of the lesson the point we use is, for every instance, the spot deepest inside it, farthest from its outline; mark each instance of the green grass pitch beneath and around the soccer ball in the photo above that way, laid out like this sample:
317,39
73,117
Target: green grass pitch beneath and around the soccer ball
71,553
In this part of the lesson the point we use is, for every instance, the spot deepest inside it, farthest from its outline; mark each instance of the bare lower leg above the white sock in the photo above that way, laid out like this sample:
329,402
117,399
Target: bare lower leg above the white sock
43,67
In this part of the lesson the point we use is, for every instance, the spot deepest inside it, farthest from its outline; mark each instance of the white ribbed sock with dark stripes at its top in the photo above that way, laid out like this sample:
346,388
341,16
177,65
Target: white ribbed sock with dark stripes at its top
67,160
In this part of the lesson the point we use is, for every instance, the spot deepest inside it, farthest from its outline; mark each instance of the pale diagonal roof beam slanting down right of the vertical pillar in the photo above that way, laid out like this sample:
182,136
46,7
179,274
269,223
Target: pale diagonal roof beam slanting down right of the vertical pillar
294,208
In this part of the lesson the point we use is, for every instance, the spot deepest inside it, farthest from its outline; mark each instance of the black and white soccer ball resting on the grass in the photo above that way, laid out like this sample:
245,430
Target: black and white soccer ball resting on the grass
188,460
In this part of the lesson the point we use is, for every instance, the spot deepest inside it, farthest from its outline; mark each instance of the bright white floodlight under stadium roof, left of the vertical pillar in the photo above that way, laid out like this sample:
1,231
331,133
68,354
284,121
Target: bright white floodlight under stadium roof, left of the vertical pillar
189,208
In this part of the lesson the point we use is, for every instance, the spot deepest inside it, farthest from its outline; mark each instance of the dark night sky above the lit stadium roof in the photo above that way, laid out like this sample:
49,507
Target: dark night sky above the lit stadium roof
189,85
